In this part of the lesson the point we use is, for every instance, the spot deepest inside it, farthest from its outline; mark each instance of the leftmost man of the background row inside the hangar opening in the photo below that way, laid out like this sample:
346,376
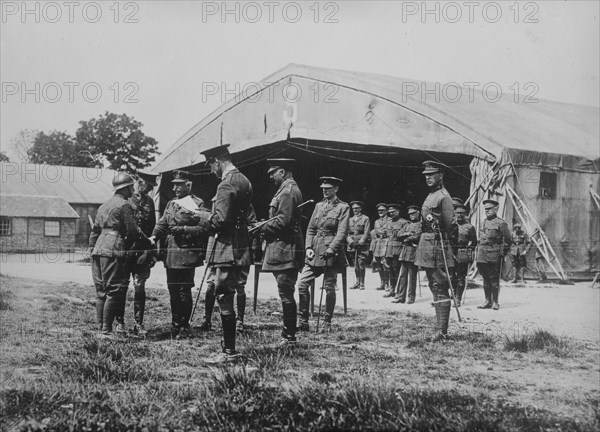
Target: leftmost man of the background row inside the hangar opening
358,242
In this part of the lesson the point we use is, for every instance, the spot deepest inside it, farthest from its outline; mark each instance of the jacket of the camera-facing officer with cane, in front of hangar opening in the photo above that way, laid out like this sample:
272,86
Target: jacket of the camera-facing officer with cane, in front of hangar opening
328,228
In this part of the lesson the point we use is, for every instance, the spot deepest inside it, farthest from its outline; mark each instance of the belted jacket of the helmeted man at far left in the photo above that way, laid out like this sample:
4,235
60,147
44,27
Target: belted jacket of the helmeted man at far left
115,230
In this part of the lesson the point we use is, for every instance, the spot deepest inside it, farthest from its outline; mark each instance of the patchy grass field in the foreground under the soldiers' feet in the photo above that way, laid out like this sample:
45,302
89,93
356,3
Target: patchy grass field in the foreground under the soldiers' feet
376,371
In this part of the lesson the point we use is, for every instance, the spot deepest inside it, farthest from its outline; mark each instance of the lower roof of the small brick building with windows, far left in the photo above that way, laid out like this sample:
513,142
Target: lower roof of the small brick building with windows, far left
36,206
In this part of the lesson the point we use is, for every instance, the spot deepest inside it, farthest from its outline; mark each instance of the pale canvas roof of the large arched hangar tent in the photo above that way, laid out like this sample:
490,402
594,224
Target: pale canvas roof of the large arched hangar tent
366,108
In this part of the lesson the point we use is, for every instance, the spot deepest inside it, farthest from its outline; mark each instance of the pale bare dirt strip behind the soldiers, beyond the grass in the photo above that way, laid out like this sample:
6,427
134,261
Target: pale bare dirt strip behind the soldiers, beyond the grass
566,310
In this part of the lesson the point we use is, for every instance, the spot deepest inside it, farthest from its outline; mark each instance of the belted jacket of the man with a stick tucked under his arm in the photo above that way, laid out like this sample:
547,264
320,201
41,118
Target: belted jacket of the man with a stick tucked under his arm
285,243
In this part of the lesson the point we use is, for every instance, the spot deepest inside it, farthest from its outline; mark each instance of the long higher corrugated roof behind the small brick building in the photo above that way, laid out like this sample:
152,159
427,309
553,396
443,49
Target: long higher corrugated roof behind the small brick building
74,184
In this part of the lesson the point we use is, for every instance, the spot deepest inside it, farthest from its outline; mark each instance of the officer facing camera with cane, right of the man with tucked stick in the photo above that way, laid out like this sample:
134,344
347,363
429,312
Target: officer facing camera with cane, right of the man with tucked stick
325,243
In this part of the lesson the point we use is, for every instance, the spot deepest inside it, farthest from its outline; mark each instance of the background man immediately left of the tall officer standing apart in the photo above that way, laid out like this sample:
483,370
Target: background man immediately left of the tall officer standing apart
409,235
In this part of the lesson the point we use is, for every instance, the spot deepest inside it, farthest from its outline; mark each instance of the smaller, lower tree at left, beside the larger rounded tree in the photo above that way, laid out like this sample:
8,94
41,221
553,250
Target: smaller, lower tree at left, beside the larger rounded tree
57,148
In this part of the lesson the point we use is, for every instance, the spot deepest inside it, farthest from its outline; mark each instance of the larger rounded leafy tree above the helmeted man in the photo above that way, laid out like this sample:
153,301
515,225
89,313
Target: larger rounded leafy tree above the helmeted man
118,140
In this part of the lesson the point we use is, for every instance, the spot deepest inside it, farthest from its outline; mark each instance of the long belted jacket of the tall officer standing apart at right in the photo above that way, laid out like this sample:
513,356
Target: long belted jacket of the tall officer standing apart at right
429,254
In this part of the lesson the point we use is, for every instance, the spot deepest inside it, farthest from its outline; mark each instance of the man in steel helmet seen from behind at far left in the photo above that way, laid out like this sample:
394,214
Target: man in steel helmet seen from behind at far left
113,234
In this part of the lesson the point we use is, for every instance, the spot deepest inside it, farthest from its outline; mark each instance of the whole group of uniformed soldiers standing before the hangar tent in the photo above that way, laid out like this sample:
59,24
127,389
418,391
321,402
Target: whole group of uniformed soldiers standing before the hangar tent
126,241
